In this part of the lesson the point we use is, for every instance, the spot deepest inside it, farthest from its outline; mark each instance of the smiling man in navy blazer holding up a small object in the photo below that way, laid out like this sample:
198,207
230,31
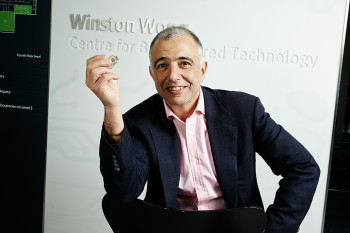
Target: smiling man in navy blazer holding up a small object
195,146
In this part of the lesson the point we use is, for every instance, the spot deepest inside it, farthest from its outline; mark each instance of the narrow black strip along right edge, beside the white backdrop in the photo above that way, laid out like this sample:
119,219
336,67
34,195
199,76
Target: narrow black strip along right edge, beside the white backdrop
338,198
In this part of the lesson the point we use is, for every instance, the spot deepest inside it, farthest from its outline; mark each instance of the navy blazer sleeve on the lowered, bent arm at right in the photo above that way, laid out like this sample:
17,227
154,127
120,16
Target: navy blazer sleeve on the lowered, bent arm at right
299,171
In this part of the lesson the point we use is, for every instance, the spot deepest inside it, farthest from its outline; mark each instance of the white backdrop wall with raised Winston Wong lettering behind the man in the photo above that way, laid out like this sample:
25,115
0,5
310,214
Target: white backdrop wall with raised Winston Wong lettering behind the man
286,52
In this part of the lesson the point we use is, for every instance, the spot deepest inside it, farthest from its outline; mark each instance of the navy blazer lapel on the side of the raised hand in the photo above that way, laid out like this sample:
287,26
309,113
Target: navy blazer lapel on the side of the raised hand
167,149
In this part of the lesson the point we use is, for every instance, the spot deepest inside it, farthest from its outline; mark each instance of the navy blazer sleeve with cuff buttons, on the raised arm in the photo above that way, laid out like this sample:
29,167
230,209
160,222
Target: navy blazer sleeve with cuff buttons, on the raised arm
124,166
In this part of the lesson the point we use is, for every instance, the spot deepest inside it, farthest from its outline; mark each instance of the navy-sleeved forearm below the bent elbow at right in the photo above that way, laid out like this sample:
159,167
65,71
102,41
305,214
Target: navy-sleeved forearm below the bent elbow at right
293,197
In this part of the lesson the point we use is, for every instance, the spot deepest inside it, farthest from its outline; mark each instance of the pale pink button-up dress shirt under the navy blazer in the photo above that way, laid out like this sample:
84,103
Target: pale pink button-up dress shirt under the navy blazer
198,186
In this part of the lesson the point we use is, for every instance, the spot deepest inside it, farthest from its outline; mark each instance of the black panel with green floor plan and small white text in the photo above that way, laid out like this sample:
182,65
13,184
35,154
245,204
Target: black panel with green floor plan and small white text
24,79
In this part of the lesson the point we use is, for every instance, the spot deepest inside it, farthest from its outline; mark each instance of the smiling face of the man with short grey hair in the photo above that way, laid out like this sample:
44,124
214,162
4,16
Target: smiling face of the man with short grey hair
177,72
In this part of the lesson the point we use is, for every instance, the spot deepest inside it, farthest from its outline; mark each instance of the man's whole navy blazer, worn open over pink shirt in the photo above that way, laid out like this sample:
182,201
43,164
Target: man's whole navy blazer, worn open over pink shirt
238,128
